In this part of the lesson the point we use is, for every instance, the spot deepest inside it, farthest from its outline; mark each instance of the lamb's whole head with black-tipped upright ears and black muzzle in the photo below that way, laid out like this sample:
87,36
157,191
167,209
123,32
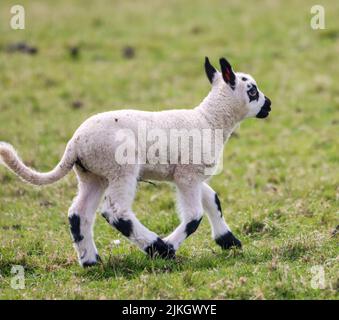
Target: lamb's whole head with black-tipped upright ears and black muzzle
239,87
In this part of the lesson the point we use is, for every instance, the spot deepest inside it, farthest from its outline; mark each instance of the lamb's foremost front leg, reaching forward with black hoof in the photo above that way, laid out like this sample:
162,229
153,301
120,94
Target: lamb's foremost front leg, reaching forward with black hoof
220,230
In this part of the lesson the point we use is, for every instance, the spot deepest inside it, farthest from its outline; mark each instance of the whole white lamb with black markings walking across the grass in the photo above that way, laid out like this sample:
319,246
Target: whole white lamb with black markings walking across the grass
106,156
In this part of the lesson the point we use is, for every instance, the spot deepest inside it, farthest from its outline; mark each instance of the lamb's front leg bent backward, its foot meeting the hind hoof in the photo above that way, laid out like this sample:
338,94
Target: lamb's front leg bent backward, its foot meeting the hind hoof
190,207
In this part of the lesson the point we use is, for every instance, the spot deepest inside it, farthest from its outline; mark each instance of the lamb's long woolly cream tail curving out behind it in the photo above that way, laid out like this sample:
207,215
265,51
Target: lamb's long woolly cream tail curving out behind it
11,159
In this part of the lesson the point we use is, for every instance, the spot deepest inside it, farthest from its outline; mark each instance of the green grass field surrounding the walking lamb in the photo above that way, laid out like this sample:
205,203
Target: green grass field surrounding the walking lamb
280,185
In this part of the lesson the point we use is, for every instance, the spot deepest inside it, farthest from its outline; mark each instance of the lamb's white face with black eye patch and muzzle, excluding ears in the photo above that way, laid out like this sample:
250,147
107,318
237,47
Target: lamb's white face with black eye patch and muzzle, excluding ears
257,103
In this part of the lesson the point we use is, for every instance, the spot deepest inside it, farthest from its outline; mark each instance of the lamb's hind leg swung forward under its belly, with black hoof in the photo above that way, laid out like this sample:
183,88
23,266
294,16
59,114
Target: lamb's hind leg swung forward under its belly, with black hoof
117,210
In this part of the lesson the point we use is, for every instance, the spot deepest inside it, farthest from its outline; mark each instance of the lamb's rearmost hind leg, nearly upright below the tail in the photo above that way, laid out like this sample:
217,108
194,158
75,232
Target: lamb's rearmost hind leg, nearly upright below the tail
81,216
